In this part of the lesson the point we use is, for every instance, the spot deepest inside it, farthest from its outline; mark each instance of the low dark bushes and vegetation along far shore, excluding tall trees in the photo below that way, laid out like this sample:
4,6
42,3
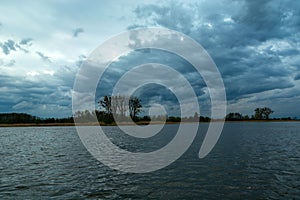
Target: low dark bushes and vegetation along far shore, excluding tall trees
84,118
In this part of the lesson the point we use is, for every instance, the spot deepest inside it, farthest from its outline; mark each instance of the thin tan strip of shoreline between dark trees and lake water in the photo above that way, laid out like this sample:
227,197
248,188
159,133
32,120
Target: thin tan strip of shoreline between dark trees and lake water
125,123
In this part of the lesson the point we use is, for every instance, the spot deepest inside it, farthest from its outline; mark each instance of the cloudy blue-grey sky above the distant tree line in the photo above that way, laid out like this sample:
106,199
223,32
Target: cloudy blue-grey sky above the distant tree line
255,45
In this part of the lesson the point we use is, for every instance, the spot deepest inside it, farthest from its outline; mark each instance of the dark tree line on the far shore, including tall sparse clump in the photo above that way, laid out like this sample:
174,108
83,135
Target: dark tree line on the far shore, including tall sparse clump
124,108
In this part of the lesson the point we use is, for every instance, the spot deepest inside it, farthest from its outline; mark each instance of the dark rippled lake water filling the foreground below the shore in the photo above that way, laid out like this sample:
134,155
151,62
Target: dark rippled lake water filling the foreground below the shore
250,161
